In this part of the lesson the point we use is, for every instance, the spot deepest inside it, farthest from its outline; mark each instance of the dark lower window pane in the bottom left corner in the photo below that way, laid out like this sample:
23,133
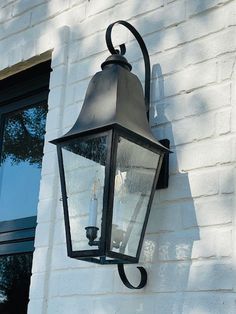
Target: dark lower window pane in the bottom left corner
15,272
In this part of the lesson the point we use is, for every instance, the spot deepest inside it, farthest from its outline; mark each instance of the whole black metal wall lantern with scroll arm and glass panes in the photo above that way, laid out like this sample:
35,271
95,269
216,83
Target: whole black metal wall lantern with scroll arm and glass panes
109,164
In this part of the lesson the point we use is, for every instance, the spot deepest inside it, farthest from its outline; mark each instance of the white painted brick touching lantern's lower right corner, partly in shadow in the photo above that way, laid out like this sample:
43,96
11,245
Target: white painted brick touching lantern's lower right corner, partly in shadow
191,244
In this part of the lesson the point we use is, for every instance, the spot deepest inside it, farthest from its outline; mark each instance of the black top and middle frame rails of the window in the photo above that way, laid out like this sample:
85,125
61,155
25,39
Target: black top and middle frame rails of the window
20,91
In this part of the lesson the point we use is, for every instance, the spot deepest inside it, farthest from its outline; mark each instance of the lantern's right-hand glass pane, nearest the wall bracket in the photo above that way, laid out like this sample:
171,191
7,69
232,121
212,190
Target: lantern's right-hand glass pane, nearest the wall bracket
135,171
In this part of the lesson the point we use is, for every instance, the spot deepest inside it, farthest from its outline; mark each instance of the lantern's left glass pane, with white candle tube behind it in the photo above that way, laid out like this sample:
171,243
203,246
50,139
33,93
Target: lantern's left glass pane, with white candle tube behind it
84,166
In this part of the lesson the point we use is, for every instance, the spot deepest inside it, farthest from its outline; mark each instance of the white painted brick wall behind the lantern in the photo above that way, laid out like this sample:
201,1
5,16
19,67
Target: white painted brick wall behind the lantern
189,249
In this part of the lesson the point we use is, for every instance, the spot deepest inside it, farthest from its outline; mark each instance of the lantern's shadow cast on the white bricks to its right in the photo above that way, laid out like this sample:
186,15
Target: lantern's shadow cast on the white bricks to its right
169,243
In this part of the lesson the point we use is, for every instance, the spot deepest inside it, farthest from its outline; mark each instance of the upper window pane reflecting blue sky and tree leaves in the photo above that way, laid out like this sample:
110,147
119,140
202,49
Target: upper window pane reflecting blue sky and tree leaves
20,163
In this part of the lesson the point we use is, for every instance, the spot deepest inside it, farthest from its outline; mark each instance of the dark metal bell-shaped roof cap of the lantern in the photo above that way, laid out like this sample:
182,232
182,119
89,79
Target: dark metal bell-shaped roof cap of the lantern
114,97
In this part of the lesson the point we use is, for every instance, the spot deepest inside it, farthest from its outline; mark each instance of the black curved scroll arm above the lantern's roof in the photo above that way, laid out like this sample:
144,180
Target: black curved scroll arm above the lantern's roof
123,50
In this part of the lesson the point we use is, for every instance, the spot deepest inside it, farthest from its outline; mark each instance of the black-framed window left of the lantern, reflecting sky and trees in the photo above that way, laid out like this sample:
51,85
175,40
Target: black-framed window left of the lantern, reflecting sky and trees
23,109
